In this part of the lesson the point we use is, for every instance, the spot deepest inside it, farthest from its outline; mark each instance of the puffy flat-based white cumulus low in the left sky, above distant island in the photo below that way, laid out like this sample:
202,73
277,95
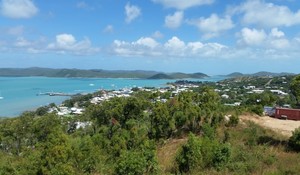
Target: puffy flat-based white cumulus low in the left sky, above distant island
66,43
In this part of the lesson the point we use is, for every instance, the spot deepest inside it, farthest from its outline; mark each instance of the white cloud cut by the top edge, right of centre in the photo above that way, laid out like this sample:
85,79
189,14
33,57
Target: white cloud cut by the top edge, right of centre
182,4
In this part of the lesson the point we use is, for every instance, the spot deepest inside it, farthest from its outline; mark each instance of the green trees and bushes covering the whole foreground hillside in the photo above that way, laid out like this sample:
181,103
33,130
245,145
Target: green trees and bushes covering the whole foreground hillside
187,133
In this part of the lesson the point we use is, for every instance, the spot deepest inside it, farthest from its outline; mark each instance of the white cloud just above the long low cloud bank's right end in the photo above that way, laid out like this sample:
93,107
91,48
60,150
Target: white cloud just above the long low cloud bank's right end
212,26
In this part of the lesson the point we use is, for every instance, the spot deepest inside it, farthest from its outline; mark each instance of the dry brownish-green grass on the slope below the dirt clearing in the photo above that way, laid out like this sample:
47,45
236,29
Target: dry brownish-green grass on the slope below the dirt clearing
255,150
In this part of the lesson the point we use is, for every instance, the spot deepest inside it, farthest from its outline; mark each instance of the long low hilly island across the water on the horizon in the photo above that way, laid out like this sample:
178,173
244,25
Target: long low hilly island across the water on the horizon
95,73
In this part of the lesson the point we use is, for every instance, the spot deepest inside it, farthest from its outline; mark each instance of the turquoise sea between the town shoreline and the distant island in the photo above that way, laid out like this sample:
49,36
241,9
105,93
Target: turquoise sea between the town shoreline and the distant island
19,94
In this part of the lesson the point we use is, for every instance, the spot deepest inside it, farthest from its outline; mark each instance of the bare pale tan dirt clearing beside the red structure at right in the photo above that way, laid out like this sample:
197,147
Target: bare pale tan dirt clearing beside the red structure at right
284,127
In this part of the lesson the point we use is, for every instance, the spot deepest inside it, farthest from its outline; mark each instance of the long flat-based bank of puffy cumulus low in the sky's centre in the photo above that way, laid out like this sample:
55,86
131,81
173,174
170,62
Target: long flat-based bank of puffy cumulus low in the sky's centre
174,47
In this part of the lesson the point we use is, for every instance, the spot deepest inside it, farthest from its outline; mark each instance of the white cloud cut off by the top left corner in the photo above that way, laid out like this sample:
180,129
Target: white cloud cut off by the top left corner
18,8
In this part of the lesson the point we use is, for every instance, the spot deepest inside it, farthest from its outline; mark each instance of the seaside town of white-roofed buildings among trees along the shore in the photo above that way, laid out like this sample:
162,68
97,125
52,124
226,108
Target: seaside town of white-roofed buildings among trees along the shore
263,94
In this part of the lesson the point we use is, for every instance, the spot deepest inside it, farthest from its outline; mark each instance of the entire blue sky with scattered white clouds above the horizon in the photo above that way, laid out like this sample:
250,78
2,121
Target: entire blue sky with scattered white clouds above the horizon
209,36
